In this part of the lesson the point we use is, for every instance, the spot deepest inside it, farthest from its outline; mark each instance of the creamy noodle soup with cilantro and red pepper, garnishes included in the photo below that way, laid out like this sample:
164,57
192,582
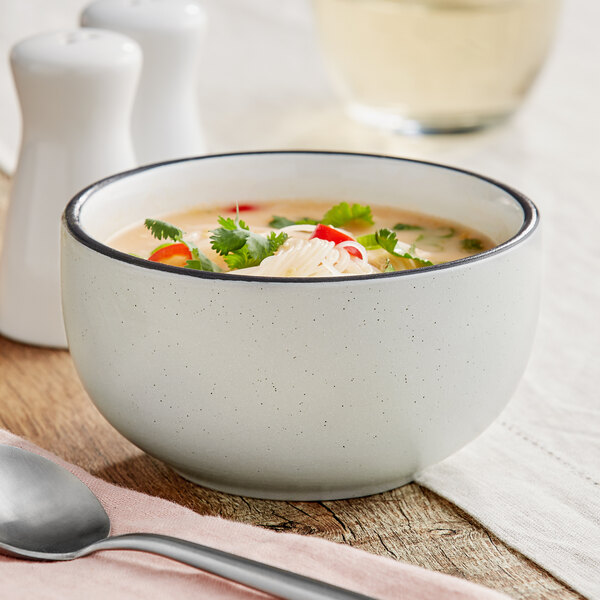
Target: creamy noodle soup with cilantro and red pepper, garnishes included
299,239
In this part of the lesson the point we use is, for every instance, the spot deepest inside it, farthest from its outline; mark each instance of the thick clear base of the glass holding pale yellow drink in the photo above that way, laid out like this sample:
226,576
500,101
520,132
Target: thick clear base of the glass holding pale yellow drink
417,125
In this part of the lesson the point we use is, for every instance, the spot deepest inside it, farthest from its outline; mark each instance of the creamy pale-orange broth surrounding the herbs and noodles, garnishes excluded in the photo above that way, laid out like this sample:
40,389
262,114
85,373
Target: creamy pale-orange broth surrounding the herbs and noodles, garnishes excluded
429,240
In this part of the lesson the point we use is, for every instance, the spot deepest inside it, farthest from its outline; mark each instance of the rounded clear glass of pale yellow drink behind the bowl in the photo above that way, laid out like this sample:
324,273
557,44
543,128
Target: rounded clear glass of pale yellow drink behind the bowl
435,64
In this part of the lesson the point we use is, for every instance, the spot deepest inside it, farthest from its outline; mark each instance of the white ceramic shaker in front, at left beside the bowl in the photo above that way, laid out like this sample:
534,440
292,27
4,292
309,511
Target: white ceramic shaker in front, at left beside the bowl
76,91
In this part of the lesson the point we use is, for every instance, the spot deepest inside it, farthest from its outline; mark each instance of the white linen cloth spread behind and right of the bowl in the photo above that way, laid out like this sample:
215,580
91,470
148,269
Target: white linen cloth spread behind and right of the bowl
533,478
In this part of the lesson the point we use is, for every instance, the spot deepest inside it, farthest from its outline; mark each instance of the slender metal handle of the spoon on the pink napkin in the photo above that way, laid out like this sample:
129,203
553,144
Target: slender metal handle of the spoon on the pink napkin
281,583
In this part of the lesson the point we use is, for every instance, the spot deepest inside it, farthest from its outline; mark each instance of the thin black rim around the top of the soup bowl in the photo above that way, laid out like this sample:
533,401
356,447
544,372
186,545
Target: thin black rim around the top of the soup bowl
74,207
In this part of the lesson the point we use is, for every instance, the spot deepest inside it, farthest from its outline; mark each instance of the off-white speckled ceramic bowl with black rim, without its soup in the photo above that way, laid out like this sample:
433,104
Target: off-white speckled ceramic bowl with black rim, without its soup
300,388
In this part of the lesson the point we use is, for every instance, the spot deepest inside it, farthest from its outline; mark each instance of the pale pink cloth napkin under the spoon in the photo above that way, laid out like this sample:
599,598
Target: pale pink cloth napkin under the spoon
123,574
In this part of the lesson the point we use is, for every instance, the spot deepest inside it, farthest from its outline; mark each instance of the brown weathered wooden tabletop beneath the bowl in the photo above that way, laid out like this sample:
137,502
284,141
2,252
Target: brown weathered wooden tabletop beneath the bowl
42,400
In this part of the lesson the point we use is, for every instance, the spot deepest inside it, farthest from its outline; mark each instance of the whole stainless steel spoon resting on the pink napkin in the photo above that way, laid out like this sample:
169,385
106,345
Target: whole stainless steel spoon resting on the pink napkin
46,513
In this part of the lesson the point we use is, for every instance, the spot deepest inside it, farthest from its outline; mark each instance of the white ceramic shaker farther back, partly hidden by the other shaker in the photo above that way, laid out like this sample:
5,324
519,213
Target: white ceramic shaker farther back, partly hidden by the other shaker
166,122
